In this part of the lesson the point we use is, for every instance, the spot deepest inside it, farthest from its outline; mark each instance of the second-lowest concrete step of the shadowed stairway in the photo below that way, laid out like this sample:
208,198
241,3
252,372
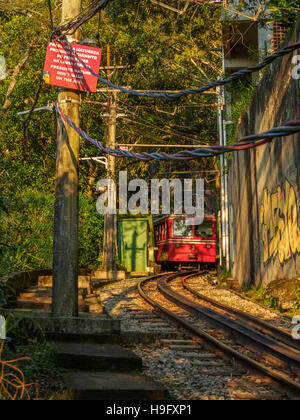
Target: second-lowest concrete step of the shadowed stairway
96,357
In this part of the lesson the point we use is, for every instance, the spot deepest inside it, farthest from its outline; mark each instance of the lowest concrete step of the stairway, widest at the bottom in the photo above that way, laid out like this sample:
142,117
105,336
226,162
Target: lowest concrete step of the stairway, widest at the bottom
113,386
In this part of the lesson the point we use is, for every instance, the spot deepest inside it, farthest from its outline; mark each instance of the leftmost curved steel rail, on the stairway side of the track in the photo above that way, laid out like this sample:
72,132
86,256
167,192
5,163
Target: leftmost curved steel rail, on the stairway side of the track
221,349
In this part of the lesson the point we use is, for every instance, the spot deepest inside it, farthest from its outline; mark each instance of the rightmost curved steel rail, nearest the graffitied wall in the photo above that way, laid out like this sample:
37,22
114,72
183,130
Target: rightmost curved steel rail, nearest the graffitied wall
248,320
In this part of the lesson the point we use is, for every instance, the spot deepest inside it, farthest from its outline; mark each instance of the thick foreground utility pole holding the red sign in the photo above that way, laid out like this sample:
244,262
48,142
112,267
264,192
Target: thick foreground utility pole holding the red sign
65,248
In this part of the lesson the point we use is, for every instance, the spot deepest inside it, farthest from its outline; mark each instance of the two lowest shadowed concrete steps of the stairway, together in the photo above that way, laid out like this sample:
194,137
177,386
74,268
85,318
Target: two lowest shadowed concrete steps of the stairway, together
100,371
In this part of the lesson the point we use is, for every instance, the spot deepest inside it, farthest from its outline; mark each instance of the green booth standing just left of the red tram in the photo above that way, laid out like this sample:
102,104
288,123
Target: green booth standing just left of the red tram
136,245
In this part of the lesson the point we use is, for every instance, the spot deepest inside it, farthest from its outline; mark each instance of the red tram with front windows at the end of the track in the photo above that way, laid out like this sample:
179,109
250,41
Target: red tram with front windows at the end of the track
181,244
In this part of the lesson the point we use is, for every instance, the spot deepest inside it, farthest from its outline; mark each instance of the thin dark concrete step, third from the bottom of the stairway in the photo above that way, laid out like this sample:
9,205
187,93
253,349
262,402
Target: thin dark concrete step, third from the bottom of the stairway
83,338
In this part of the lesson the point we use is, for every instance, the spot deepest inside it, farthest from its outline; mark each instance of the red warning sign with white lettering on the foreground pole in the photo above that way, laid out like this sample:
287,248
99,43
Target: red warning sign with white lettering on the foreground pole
65,68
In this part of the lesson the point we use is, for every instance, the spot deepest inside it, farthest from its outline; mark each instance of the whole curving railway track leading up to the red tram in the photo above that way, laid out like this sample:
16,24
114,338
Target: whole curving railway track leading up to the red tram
234,335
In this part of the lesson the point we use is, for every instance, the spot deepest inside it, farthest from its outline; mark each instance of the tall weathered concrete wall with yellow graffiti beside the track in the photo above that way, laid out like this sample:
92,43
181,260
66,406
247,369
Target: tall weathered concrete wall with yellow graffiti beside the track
264,184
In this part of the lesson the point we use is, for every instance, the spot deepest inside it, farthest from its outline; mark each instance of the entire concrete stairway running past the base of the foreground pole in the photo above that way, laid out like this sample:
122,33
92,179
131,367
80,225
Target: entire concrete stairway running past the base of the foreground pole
87,346
